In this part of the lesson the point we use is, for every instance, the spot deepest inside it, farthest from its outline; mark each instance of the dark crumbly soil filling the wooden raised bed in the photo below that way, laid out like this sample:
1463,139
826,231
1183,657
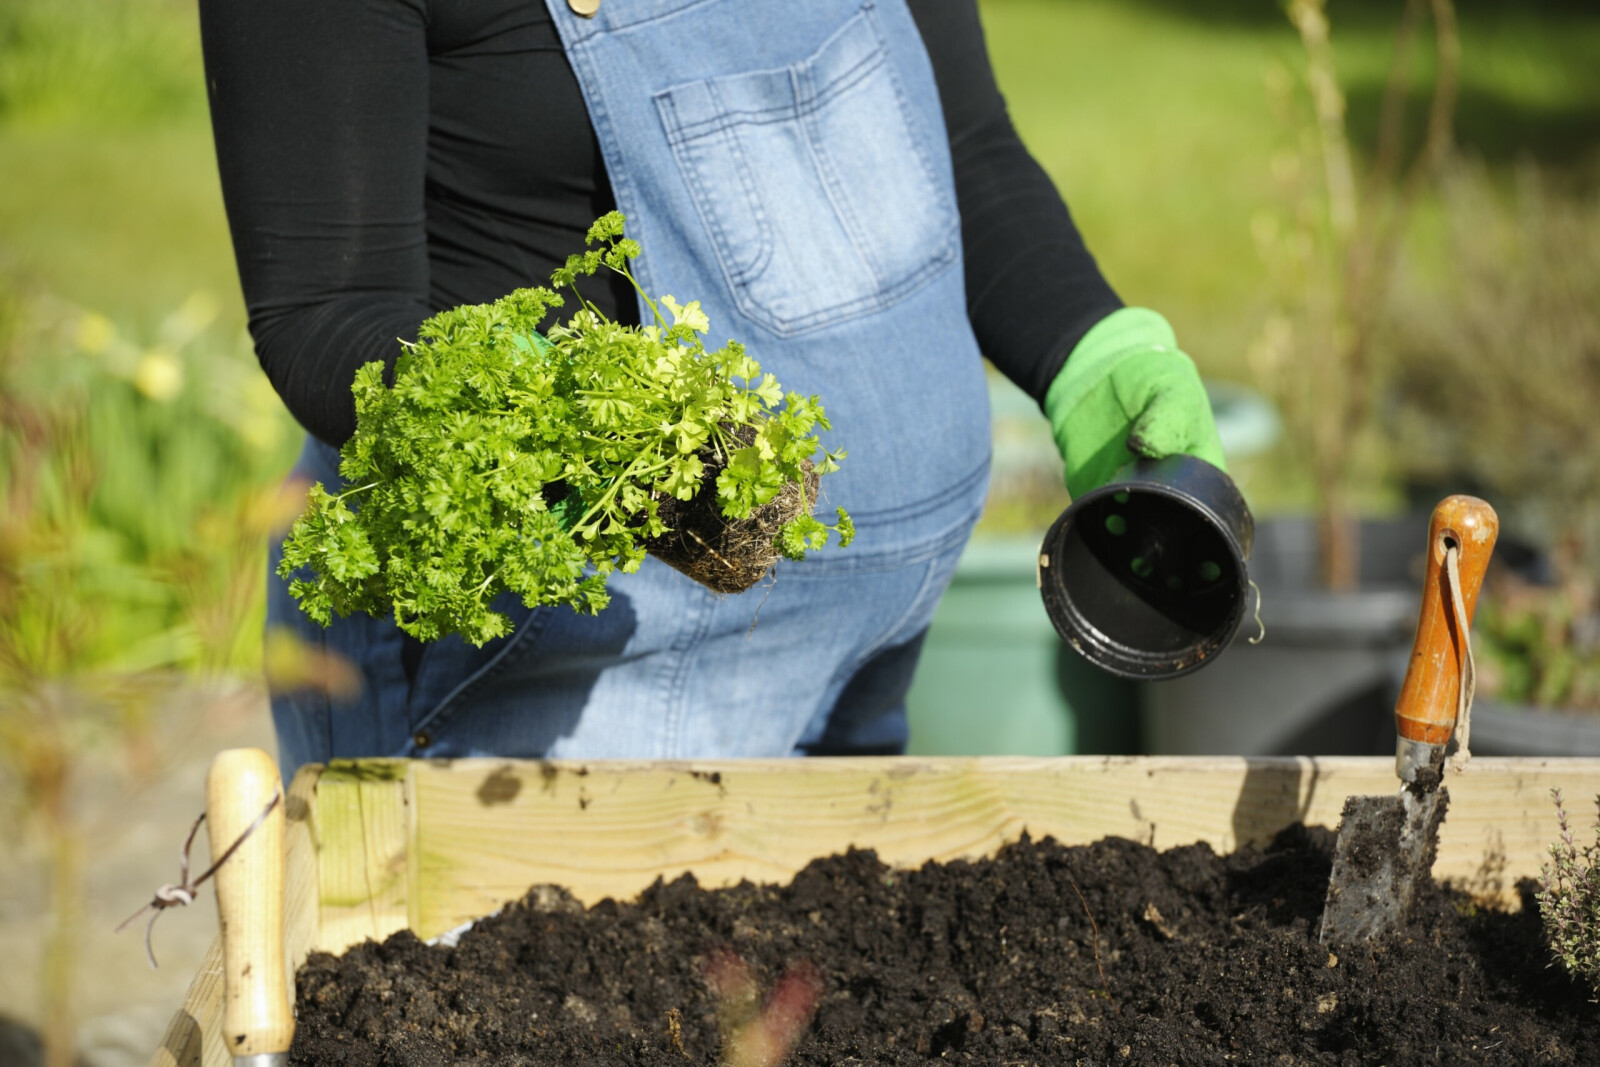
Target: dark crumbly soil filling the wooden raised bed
1201,961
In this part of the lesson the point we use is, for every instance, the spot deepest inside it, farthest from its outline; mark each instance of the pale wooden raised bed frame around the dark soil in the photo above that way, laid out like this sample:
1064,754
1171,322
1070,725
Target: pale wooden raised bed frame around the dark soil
383,845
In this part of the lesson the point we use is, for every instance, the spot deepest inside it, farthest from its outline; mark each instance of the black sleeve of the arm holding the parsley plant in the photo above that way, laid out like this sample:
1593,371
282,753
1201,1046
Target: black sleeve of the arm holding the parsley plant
321,118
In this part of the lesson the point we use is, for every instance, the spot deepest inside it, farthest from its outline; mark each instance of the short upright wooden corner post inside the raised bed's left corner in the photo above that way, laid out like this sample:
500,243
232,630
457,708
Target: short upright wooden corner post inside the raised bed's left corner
362,826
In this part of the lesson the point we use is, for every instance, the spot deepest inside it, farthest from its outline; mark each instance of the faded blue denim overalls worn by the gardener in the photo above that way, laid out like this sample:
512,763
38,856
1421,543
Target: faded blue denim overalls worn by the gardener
786,166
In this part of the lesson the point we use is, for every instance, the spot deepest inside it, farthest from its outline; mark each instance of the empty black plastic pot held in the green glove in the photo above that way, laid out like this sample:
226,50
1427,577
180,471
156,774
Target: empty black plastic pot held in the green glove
1148,577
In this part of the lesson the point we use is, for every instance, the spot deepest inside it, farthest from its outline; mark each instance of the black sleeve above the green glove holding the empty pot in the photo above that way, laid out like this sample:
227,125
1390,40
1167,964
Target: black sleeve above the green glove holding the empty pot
1033,289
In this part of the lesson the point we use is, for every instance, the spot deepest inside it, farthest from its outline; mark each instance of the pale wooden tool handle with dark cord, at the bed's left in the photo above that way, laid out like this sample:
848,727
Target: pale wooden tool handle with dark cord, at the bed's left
257,1017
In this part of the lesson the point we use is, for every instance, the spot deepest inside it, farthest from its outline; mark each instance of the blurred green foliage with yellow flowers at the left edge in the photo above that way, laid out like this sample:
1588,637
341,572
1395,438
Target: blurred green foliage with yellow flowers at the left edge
138,476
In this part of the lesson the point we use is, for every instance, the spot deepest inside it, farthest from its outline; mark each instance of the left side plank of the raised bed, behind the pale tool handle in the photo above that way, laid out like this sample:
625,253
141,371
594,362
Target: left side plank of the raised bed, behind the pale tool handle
194,1037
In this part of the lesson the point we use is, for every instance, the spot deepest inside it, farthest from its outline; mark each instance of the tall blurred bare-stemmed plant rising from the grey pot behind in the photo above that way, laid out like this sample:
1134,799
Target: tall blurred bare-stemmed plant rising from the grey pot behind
1330,252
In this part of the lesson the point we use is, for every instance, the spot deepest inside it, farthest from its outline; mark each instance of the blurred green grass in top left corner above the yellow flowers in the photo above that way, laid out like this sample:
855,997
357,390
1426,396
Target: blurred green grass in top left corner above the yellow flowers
108,185
